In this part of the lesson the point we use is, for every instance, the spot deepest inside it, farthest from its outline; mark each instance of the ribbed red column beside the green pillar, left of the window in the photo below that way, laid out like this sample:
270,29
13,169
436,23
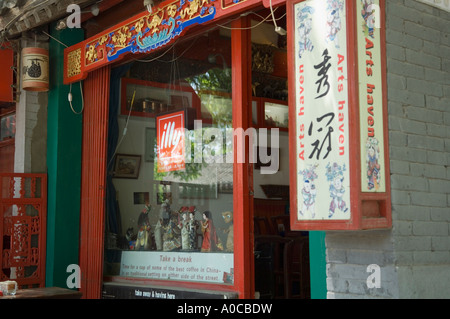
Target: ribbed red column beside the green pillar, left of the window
93,181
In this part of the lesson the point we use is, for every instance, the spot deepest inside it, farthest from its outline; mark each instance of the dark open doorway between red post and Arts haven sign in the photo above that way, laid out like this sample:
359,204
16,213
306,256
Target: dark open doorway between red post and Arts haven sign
281,255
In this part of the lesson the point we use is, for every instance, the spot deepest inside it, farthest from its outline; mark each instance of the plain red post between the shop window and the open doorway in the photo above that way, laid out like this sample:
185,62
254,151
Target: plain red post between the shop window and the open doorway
243,178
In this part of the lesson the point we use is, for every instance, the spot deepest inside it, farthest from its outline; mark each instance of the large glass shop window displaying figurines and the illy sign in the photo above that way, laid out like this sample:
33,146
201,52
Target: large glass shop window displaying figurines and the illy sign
172,212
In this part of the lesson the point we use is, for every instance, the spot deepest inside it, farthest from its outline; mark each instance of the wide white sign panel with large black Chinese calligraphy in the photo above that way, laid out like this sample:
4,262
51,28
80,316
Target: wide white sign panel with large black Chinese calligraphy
321,104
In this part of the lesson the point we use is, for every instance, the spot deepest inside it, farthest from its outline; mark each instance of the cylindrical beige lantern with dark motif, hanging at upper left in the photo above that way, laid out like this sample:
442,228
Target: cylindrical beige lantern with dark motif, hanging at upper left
35,73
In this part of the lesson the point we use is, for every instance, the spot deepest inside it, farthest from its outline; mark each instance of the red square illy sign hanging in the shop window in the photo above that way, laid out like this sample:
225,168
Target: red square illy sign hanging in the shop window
170,142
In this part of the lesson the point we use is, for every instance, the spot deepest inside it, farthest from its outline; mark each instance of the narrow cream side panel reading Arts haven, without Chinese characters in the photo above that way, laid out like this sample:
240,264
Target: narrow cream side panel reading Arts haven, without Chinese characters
370,96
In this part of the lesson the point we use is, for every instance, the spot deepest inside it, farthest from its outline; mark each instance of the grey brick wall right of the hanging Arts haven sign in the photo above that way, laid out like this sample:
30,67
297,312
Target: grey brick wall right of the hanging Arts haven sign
414,257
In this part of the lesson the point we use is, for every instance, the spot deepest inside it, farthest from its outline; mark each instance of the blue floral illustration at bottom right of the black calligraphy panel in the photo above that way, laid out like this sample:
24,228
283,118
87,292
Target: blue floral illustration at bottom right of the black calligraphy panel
335,175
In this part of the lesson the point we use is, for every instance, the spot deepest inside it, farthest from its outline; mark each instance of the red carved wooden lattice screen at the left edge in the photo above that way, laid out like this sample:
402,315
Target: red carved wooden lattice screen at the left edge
23,214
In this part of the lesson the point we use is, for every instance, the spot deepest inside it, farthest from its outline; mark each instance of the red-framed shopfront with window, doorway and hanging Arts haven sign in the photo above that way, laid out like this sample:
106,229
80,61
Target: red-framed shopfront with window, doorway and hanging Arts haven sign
189,142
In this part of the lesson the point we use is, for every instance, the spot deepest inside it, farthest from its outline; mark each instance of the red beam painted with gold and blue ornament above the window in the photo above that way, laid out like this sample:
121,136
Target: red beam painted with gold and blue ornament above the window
144,33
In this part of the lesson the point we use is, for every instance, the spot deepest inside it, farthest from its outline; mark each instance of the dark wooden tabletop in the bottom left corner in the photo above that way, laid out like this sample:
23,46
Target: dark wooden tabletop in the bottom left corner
45,293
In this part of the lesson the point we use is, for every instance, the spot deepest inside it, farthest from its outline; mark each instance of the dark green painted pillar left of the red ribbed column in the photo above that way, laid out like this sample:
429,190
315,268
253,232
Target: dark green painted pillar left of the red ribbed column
64,132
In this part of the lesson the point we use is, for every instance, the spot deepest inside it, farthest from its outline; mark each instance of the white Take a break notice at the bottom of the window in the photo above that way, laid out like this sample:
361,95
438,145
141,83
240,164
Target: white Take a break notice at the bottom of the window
198,267
